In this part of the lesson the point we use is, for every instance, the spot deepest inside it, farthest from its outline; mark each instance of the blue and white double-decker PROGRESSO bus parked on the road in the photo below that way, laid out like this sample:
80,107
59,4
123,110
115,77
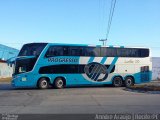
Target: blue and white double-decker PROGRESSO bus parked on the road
60,65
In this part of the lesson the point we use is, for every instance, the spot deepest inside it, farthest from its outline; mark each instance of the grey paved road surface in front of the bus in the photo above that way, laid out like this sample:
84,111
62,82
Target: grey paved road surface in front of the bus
77,100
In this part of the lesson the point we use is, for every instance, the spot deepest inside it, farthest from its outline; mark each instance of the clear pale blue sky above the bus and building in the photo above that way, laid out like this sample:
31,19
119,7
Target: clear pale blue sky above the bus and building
135,22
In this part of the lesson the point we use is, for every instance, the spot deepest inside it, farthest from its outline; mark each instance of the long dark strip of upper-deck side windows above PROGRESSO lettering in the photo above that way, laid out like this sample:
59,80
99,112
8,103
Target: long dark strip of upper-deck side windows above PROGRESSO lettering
96,51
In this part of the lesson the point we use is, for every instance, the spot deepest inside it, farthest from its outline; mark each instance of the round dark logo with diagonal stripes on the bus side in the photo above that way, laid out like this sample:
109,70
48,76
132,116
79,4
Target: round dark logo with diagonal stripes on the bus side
96,71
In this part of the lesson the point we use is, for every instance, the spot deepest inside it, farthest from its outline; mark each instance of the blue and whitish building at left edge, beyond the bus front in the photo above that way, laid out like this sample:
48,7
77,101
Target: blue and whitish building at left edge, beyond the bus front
5,54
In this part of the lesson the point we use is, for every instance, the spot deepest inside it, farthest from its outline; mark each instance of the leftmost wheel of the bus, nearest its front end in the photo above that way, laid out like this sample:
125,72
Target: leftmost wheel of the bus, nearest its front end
43,83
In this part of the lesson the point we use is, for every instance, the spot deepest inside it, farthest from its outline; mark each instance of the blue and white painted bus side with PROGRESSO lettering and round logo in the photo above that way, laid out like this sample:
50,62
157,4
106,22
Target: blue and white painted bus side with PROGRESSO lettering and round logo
123,67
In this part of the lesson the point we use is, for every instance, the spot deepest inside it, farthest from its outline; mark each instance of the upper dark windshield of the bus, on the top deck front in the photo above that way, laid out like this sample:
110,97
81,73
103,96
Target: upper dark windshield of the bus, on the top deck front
32,49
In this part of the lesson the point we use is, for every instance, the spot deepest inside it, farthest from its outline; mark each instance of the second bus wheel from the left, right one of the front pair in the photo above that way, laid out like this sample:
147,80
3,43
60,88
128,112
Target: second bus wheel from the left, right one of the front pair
59,83
